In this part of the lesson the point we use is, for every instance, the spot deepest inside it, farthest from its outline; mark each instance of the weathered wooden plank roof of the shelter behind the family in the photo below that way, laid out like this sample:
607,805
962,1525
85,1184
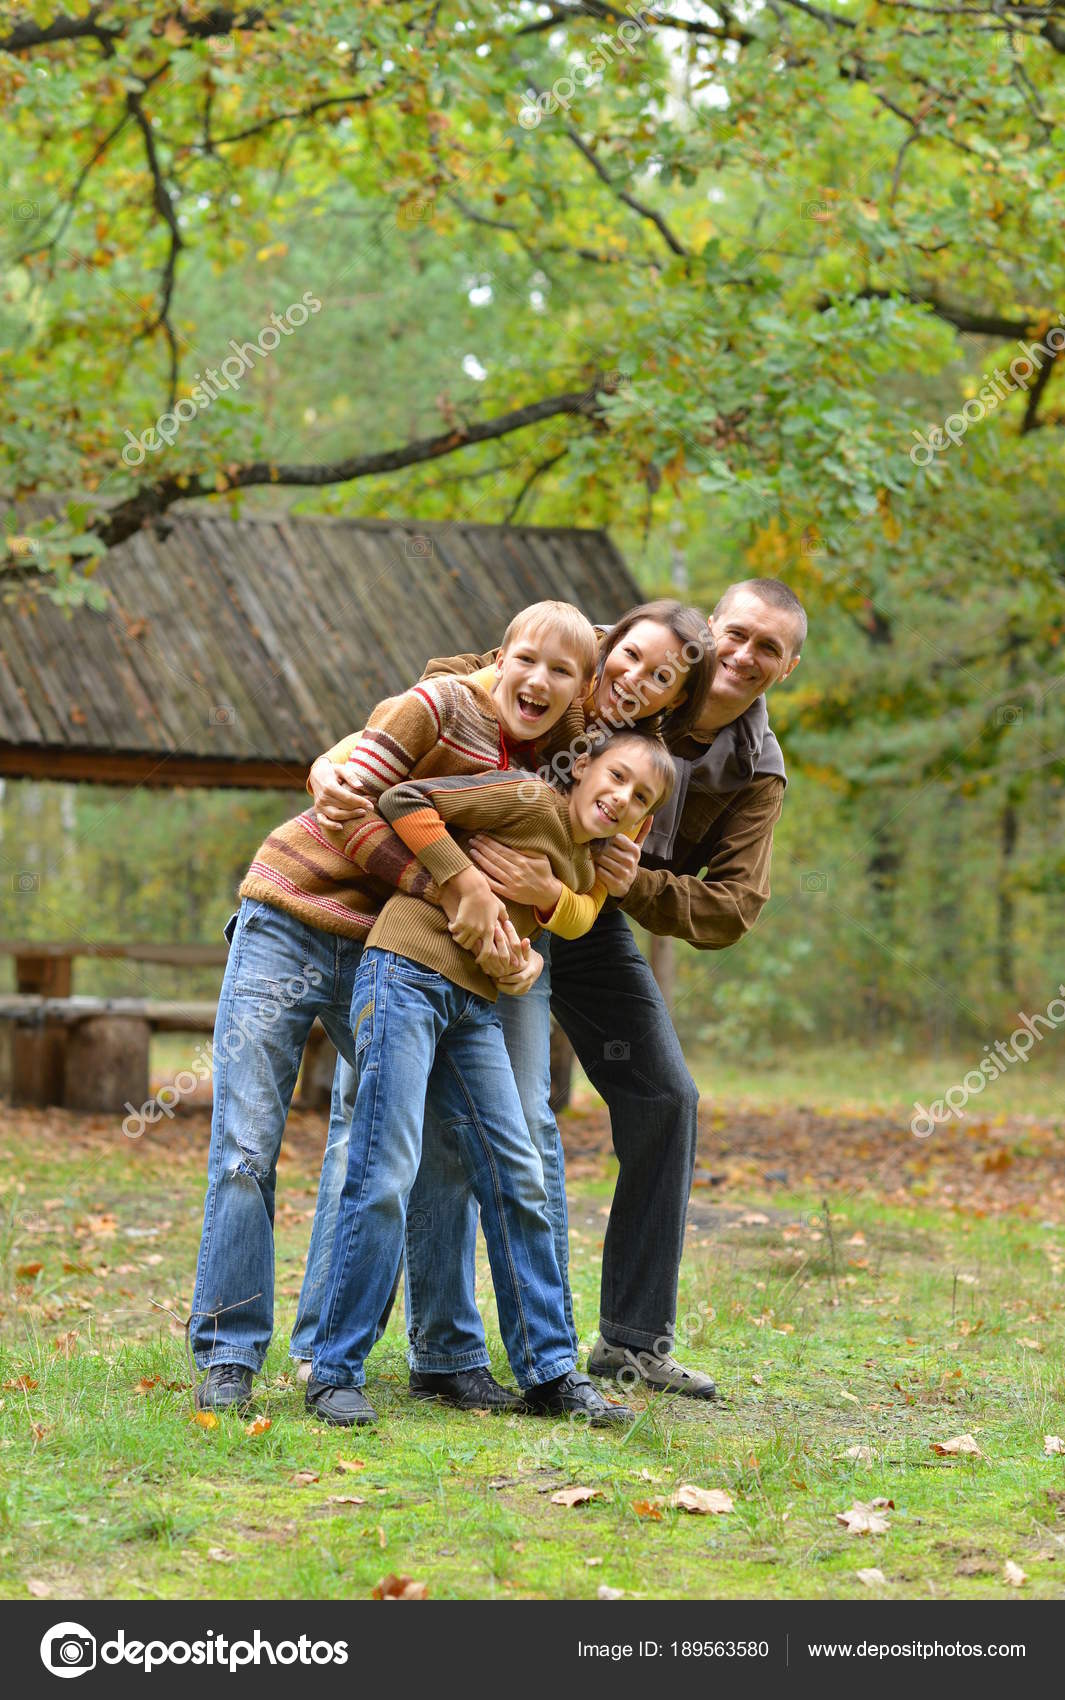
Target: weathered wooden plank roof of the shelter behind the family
234,652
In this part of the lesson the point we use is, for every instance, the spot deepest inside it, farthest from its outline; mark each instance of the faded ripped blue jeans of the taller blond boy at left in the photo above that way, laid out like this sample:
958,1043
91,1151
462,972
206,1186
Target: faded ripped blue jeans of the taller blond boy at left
280,977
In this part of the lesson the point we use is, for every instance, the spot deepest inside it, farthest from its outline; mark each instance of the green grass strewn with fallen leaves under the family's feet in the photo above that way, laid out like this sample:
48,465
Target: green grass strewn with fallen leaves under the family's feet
892,1323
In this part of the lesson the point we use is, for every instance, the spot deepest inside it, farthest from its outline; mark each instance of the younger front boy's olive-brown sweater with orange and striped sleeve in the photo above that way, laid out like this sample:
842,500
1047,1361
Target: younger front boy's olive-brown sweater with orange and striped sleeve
518,810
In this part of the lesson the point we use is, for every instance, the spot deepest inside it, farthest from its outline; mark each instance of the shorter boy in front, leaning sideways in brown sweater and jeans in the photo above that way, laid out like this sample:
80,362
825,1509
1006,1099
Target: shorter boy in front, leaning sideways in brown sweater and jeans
423,1021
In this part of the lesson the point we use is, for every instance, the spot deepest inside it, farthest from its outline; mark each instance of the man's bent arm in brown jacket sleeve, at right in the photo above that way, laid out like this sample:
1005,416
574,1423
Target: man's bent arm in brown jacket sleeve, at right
715,909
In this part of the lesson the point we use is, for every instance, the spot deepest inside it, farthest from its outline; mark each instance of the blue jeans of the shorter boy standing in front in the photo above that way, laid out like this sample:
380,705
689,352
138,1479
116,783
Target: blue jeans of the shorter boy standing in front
418,1034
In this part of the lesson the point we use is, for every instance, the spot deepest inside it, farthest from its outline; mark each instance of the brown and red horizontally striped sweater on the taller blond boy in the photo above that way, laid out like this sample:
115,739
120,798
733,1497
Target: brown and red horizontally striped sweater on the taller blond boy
338,880
